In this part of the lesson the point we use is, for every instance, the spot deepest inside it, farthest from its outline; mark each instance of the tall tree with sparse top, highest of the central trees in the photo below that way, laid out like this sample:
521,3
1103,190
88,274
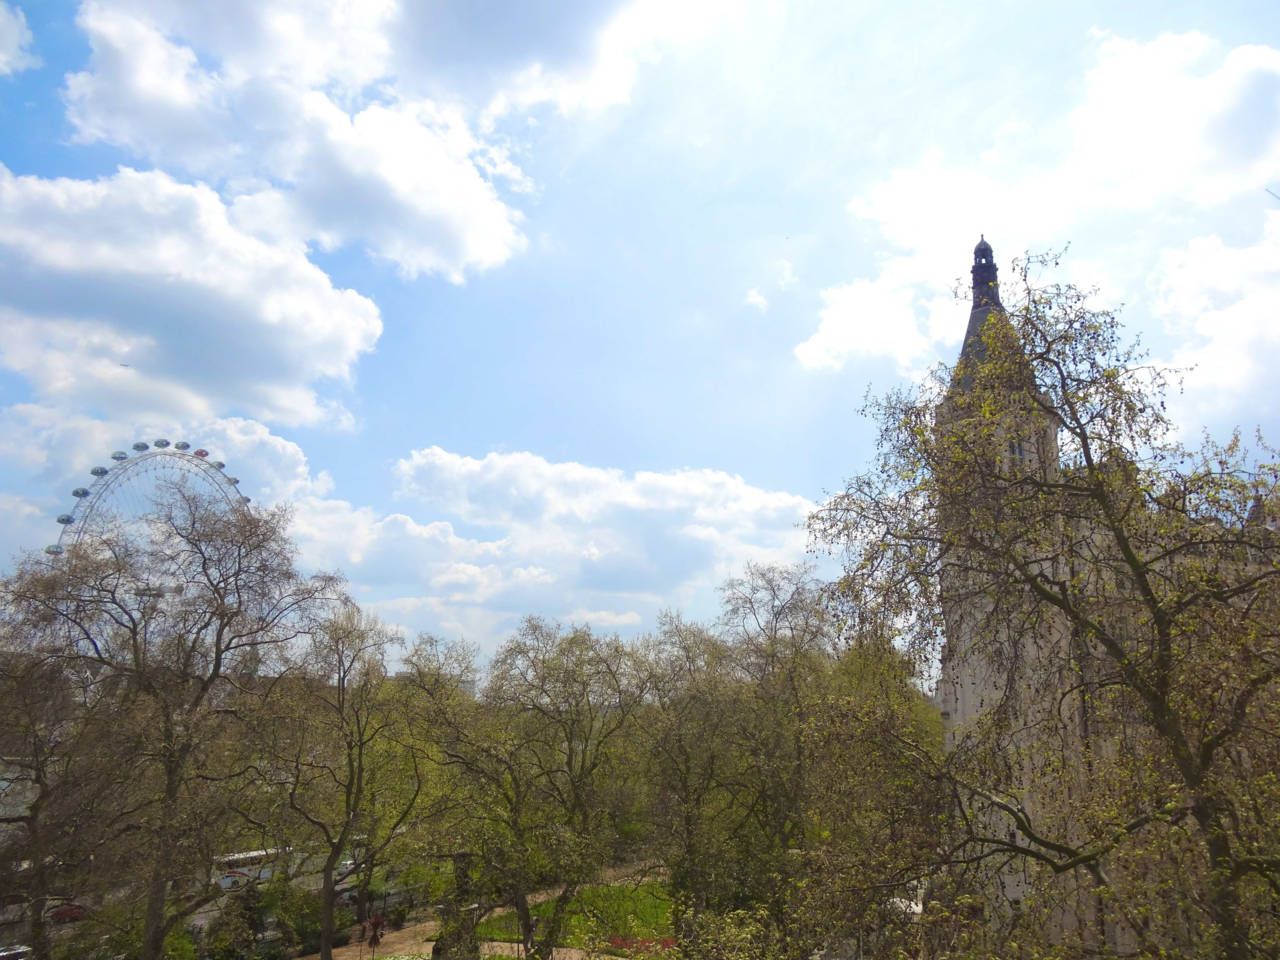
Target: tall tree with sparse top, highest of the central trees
728,742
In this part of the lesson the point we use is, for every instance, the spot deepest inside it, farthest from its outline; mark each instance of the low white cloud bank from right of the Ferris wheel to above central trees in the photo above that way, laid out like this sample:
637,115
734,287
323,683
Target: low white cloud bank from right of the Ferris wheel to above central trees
604,546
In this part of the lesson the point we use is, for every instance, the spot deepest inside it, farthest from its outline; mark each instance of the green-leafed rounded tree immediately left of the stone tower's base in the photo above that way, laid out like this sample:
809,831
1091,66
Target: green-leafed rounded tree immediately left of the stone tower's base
876,815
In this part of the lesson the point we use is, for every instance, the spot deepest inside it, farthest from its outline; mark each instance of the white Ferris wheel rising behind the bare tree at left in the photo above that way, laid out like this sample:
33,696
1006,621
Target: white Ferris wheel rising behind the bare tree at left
127,491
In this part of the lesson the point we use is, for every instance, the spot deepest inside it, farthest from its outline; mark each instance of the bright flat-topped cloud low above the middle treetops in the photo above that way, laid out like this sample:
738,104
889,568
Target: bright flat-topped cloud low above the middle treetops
570,536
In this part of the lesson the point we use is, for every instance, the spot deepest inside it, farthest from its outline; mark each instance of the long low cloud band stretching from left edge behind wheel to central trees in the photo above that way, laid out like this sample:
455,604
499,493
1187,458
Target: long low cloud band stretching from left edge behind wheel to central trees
601,546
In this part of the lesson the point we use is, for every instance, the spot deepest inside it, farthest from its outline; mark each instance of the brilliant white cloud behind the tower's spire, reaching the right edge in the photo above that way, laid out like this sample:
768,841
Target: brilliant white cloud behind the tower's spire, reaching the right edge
1173,124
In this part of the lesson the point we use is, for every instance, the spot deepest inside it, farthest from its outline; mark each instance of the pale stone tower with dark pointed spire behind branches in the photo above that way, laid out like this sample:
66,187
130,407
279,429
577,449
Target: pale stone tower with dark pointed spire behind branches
1007,659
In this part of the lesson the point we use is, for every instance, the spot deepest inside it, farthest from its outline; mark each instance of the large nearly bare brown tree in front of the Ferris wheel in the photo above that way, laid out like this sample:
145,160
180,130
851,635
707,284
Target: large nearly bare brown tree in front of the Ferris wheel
171,620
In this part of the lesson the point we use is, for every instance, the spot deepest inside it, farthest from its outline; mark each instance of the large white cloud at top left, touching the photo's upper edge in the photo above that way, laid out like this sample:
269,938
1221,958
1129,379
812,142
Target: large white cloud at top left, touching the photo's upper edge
281,115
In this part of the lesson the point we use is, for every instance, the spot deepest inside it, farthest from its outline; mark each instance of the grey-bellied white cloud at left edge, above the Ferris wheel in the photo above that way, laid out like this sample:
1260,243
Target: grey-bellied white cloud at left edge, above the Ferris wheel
138,294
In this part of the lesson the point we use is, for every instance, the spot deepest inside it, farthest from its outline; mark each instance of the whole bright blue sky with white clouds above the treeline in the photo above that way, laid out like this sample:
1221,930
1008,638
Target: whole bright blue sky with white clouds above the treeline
570,309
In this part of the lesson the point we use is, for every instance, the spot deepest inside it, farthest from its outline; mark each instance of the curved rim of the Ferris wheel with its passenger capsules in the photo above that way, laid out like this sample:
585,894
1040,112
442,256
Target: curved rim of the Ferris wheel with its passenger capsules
144,459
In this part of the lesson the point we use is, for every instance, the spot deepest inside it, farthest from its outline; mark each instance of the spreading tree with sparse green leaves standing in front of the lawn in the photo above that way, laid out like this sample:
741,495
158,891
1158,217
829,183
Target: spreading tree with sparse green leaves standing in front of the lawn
538,756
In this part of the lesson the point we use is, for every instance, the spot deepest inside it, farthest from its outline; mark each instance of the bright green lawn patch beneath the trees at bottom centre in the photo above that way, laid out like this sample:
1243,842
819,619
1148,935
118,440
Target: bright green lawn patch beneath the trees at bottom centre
614,913
